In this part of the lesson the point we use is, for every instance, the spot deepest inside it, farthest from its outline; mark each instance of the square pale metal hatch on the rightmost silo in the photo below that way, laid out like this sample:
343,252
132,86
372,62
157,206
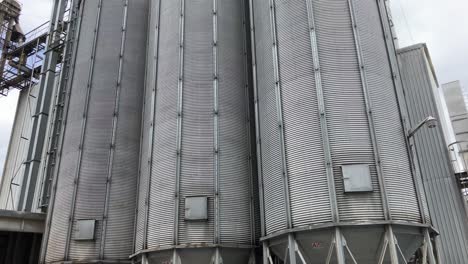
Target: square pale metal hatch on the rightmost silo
357,178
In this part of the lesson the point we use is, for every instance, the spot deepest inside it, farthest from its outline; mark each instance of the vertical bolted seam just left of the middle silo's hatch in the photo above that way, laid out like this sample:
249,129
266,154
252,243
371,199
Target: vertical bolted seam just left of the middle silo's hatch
180,89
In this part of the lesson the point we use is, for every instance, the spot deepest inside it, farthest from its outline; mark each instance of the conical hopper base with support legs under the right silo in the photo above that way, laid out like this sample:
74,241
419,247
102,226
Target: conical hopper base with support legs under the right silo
380,244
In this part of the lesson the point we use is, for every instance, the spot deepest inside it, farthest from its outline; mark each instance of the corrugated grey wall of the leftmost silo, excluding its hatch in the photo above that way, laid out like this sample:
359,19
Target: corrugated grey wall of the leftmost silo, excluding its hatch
101,141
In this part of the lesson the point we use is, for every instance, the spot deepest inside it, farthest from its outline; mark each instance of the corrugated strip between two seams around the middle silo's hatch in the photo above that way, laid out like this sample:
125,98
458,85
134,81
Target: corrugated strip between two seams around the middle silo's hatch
197,159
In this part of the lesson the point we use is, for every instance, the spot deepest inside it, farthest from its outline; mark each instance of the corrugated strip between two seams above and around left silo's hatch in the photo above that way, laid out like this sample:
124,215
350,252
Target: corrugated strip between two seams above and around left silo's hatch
92,178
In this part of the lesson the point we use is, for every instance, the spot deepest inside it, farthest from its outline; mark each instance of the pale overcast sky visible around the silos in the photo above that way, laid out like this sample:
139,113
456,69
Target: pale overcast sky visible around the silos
443,25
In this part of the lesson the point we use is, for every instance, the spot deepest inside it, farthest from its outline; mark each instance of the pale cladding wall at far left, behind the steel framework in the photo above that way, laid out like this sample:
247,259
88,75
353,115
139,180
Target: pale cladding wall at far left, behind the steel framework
13,170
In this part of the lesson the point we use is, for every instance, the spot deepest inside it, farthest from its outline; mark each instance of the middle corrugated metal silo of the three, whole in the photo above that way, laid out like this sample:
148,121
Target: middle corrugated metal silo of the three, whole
196,199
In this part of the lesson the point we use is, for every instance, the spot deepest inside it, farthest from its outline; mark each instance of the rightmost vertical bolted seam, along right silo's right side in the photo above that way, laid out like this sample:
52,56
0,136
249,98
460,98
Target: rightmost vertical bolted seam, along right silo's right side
397,83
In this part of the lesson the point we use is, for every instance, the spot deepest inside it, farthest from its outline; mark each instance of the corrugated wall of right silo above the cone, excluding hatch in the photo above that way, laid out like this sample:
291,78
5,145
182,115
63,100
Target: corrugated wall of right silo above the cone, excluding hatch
296,99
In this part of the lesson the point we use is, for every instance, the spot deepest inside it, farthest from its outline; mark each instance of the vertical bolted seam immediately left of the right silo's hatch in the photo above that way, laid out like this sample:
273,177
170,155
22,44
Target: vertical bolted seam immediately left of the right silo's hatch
322,112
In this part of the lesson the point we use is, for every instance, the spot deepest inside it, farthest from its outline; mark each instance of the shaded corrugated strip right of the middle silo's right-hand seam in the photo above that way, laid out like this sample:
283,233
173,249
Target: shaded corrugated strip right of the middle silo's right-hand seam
234,170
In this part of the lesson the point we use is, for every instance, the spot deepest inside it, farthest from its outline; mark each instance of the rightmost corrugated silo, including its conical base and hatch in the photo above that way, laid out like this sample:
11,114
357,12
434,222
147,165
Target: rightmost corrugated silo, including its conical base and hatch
337,184
